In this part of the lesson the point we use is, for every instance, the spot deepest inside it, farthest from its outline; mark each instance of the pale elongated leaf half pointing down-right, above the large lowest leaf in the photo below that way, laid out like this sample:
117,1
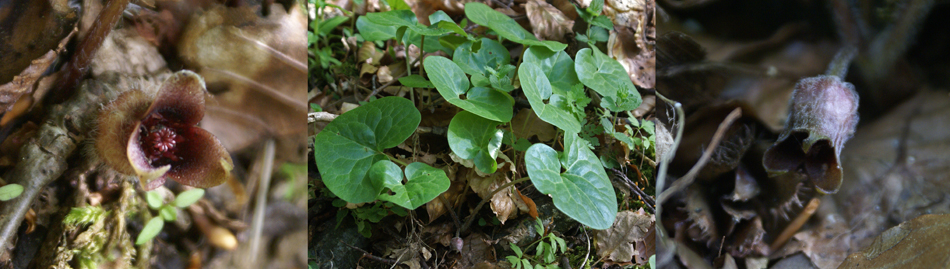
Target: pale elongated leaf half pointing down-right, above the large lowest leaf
538,89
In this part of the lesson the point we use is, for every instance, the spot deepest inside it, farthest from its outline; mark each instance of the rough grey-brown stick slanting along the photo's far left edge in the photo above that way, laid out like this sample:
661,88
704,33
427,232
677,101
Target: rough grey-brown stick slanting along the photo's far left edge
43,158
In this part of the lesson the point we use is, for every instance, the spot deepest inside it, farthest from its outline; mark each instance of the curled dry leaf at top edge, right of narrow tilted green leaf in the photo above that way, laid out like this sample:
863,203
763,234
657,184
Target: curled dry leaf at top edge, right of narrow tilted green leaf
547,22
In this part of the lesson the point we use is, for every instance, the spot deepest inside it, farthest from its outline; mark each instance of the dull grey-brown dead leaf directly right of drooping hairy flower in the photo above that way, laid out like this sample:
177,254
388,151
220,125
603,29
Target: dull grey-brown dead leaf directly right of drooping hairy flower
885,185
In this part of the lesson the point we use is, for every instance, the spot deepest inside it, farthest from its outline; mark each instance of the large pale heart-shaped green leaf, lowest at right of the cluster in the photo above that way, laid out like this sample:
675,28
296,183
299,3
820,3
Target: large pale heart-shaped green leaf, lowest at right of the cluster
583,191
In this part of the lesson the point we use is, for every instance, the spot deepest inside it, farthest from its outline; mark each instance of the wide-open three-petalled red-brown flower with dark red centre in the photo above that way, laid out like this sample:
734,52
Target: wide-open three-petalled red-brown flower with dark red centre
156,137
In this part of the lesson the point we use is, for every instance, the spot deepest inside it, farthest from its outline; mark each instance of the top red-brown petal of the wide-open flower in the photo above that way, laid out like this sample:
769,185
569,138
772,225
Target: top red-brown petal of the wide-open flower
181,99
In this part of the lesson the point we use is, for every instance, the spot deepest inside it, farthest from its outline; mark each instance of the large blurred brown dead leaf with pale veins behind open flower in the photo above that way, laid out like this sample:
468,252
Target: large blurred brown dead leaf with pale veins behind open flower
256,67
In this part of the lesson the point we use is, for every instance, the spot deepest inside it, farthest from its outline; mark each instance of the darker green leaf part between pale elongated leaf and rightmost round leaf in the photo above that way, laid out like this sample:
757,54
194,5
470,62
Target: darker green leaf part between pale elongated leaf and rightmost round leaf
557,66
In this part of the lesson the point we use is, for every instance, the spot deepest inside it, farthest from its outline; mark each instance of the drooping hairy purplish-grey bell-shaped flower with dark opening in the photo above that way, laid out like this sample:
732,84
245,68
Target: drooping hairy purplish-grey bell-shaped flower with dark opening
823,114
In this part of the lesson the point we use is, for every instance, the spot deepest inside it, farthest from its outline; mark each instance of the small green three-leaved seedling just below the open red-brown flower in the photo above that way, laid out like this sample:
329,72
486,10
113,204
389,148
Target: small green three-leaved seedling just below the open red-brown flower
166,212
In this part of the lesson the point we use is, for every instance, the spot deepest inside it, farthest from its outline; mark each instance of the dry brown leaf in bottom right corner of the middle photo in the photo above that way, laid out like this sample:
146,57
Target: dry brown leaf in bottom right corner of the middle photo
617,244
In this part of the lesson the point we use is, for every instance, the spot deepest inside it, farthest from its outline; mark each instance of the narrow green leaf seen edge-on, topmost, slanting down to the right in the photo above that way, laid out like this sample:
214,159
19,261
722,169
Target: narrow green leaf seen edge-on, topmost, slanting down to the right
505,26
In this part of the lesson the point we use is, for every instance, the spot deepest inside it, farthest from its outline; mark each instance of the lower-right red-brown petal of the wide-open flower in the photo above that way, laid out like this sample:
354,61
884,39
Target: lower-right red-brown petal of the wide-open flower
204,162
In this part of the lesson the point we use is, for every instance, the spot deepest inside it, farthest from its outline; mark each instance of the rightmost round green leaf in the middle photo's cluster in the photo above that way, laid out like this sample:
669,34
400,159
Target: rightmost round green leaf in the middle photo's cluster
607,77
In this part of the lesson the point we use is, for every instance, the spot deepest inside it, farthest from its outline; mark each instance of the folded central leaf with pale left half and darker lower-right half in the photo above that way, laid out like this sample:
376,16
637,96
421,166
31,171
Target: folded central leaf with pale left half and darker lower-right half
453,85
